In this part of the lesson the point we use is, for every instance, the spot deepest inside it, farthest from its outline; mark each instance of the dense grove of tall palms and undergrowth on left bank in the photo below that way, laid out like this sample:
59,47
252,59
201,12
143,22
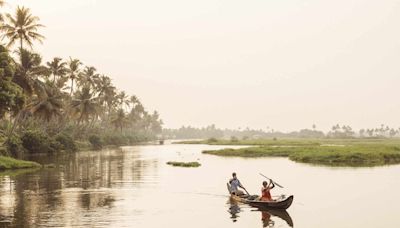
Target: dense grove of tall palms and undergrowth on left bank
60,104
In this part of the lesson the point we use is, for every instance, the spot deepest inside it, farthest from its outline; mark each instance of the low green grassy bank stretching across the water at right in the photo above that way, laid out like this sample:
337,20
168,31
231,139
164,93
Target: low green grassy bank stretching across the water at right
326,152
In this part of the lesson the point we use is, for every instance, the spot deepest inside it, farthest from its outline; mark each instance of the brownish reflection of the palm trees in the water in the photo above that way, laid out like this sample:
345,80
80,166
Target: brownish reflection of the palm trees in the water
79,185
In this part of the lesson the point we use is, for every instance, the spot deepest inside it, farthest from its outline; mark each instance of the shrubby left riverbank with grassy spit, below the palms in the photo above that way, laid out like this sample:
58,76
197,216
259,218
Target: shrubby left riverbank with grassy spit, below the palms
39,144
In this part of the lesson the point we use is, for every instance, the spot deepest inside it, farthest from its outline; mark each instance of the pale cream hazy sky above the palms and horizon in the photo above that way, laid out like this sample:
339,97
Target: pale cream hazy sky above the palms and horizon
281,63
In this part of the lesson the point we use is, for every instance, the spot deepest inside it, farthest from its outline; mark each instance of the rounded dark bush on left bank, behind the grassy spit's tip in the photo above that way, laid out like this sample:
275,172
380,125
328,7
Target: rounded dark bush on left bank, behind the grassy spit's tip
37,142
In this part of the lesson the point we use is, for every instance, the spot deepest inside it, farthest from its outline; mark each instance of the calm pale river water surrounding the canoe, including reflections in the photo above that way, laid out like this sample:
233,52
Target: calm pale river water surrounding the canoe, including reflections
133,187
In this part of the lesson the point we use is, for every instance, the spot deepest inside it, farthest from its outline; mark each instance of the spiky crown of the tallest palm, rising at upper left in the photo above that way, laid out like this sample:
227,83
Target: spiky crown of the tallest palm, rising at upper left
22,27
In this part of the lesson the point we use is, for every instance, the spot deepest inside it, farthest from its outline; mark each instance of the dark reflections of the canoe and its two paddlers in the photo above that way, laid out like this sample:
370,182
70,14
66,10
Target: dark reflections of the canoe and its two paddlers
267,215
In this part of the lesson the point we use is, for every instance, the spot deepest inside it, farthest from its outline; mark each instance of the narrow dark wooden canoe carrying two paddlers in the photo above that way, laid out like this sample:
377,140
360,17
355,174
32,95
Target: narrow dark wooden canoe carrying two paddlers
283,203
